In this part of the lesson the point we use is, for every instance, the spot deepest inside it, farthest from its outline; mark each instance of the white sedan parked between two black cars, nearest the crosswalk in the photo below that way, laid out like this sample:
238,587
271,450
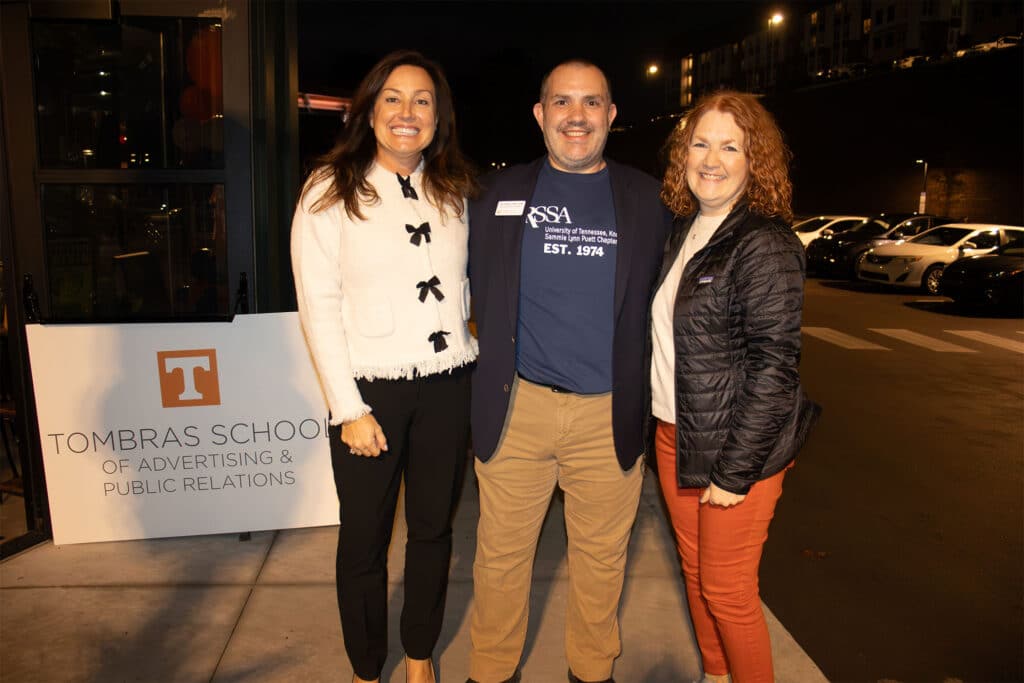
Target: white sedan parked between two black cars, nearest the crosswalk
920,262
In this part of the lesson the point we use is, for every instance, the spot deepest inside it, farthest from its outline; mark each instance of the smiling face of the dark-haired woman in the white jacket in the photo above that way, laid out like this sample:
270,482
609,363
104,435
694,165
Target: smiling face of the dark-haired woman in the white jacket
405,118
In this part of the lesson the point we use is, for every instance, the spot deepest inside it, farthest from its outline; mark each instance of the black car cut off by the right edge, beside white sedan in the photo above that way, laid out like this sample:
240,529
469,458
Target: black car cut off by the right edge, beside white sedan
994,280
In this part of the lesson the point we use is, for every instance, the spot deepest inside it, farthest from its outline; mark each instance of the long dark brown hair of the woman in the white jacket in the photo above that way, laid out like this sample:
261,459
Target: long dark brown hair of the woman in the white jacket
448,177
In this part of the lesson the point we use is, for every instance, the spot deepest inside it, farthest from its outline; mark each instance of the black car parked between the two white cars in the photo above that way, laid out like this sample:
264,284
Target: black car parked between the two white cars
839,255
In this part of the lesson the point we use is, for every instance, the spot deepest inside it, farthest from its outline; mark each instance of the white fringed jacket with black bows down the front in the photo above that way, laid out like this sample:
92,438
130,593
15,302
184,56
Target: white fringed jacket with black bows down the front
359,285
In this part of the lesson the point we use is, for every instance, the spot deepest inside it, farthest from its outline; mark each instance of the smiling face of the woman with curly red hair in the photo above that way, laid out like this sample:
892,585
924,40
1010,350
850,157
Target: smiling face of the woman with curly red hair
717,168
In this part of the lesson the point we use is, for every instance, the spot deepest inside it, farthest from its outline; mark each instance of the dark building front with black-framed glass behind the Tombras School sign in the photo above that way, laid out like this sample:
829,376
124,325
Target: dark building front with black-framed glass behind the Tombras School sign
135,137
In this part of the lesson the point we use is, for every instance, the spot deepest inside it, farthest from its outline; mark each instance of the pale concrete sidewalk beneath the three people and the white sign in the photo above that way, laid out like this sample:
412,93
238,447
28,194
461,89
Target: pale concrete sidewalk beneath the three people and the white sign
215,609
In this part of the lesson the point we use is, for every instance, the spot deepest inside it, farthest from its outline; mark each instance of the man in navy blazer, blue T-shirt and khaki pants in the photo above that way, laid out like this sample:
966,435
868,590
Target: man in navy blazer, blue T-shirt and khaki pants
564,254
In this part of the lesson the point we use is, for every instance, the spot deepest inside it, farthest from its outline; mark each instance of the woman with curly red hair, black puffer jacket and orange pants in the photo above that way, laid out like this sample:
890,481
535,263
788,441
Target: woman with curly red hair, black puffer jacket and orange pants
726,379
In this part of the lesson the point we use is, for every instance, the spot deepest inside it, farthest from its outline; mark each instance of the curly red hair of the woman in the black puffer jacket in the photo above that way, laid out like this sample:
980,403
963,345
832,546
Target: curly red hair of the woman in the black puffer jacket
770,191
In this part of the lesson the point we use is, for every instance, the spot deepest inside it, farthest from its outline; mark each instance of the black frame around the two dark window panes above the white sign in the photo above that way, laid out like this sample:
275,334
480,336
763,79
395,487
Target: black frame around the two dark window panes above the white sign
28,177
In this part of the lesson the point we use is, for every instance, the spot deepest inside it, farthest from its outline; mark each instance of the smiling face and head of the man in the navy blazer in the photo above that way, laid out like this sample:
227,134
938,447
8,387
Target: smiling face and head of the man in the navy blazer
575,115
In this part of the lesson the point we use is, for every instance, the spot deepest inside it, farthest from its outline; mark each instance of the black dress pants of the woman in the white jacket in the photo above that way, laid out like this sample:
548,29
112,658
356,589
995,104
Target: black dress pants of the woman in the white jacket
426,423
